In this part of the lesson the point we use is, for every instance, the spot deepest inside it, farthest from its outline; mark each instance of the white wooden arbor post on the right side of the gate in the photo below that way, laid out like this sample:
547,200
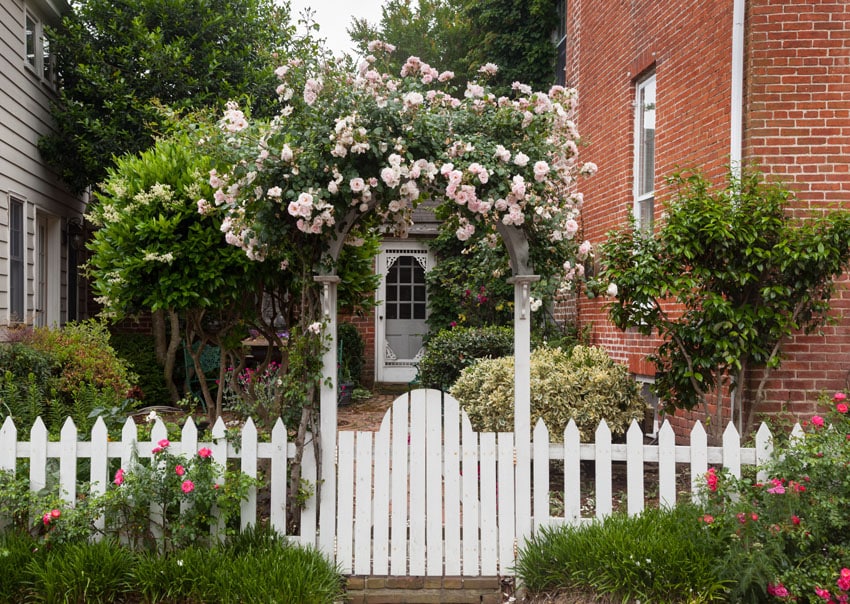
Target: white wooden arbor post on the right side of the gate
522,401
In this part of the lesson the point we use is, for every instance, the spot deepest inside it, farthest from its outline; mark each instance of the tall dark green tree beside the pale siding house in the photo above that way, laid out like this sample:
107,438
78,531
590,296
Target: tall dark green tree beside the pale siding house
119,62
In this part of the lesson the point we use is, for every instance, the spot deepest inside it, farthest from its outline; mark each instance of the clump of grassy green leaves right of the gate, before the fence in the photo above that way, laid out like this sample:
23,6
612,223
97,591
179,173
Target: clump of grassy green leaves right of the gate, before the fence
657,556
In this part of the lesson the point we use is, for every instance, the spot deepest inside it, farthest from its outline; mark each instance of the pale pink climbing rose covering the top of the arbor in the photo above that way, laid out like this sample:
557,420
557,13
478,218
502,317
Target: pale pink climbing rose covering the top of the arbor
352,146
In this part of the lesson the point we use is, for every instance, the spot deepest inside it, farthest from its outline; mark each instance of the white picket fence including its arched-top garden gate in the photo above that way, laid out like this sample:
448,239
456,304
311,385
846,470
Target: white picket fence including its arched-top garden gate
425,494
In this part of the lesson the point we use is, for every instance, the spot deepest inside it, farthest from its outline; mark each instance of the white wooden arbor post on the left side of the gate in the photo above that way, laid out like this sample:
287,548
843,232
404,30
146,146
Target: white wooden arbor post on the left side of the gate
327,417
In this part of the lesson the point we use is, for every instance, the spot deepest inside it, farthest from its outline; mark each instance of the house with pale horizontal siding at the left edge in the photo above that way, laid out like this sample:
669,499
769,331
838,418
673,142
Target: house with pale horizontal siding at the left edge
39,218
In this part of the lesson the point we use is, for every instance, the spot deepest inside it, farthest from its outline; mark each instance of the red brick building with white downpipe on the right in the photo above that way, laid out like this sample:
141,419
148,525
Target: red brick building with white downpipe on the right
696,83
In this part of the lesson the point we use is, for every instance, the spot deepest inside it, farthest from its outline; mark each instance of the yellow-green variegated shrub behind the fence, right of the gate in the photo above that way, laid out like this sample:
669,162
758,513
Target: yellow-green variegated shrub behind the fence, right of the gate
584,385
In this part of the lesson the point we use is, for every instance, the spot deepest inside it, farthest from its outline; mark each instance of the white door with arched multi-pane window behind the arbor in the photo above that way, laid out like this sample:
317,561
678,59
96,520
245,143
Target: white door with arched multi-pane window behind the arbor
402,310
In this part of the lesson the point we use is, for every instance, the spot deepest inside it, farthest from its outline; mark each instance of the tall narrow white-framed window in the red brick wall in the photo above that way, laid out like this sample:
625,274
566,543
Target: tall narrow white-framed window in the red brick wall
644,175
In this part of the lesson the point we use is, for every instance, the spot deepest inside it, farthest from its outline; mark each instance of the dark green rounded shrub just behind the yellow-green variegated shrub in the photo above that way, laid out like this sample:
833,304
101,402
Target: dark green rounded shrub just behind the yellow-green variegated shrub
450,351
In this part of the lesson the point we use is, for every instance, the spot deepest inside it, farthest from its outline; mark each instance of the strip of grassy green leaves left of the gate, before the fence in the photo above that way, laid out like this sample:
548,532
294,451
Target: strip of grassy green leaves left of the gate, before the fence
257,566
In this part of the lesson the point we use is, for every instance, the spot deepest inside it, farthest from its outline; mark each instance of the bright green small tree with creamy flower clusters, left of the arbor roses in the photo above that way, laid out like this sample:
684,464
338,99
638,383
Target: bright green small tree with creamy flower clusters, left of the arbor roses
153,250
